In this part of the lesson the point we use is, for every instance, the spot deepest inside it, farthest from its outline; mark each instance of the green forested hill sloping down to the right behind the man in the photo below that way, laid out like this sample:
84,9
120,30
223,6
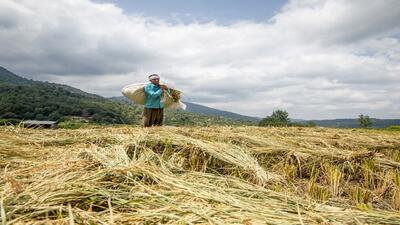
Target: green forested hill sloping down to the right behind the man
25,99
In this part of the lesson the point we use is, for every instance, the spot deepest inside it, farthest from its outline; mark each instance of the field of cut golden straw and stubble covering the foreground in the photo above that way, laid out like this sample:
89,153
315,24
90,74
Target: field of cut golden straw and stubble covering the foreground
198,175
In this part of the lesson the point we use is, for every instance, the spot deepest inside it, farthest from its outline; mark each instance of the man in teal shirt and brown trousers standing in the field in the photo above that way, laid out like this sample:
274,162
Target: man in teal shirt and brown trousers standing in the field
153,113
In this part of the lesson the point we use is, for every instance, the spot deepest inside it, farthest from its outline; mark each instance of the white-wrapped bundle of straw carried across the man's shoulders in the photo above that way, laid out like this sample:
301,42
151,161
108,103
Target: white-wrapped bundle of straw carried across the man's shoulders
171,98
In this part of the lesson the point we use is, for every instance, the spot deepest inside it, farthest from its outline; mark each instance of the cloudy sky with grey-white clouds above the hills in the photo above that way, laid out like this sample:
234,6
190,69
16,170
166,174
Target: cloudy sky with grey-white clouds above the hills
317,59
